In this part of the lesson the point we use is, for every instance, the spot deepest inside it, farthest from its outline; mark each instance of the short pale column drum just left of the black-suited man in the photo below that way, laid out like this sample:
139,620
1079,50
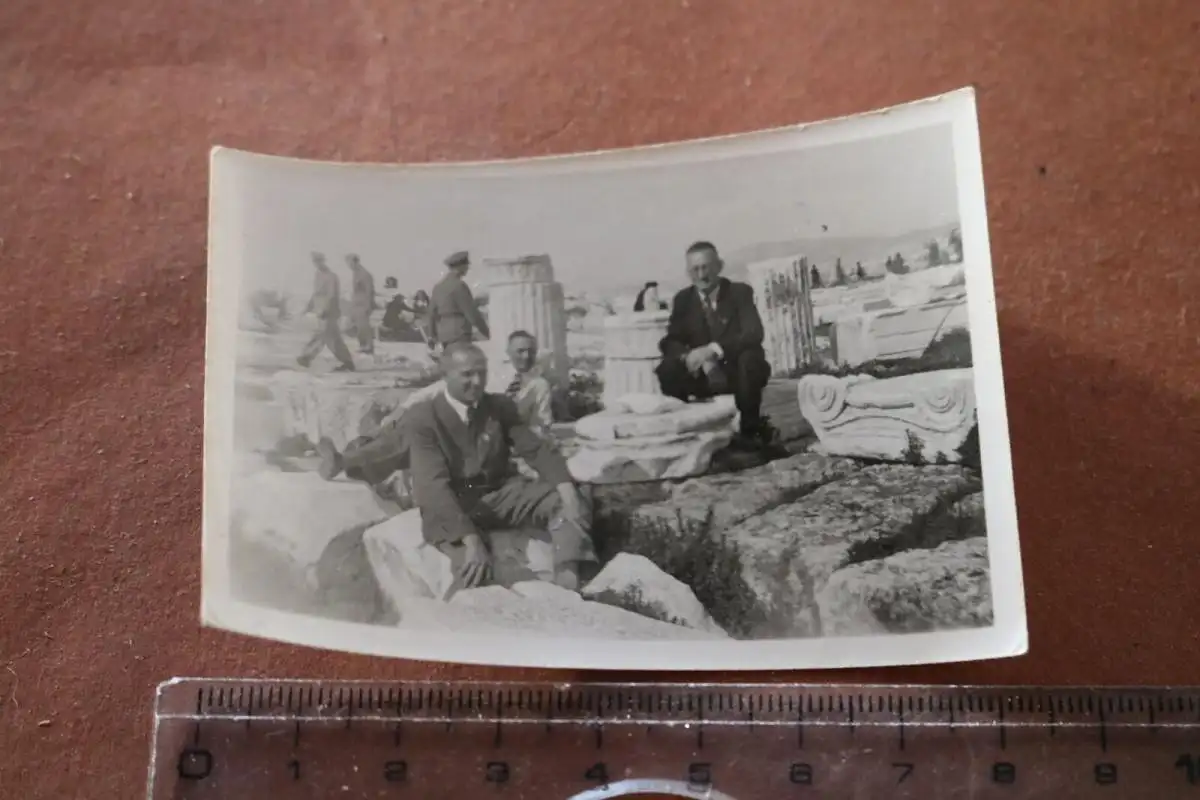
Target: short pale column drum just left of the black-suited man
632,353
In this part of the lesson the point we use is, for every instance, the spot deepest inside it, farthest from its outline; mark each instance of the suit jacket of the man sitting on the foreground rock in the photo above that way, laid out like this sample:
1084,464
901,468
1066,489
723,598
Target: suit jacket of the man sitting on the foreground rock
452,467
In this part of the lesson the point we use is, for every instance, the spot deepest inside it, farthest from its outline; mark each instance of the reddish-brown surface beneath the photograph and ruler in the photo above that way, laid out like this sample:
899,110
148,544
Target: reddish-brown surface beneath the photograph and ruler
1091,140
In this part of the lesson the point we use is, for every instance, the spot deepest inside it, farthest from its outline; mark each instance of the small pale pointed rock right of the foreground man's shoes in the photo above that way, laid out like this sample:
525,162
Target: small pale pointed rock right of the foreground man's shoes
637,585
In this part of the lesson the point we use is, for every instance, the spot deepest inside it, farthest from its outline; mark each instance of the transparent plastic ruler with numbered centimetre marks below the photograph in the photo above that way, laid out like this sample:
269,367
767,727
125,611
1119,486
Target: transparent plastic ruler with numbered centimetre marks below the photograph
285,741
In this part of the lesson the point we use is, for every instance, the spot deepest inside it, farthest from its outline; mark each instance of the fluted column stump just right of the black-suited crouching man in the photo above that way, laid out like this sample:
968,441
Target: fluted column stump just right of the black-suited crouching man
784,298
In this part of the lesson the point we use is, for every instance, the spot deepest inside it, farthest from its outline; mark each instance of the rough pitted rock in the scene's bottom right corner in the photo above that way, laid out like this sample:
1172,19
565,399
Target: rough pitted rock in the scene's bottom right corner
913,592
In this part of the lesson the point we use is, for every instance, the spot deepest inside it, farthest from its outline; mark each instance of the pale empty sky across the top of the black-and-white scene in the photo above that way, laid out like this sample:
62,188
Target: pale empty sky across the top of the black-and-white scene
604,231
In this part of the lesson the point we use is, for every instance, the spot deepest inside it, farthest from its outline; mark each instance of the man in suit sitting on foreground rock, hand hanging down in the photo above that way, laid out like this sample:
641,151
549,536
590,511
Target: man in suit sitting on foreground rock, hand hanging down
458,447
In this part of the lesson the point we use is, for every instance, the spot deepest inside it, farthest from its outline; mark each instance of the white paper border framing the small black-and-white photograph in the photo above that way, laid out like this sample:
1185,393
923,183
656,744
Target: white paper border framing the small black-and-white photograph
1005,639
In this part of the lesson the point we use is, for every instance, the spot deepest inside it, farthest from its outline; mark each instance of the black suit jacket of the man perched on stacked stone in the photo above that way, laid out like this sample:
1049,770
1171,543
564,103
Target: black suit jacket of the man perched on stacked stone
737,327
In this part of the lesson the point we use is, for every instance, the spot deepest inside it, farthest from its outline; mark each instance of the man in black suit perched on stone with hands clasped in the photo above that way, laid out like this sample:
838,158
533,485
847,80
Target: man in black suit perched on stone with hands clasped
715,344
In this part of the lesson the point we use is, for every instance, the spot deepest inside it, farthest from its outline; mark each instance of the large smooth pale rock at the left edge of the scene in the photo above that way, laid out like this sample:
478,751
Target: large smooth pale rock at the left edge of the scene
298,515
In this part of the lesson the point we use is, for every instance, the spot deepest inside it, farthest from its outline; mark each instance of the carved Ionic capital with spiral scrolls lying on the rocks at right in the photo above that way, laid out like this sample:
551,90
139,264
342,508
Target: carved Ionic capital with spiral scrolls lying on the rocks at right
923,417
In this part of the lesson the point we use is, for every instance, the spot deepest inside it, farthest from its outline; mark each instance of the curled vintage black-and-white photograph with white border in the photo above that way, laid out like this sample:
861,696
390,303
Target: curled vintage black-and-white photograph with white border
741,398
